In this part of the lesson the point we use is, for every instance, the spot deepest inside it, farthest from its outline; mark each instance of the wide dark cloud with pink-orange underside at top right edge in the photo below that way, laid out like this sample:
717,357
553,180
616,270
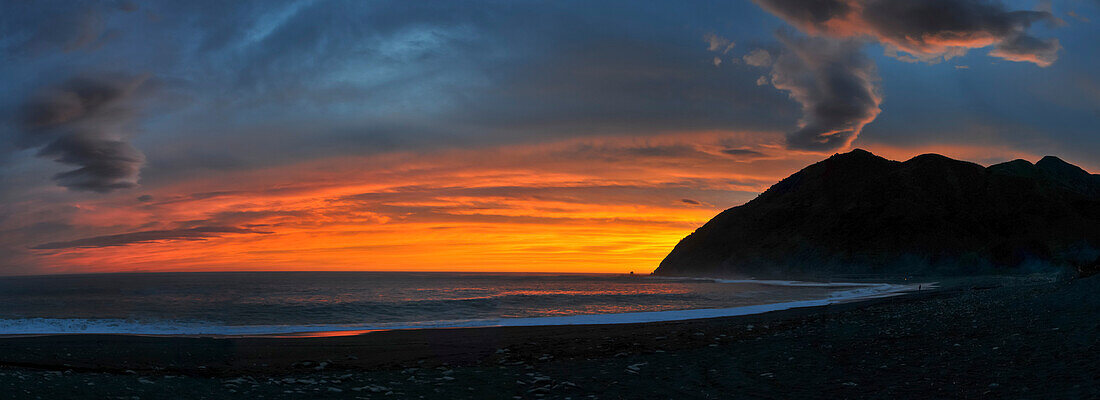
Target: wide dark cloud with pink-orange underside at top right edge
927,31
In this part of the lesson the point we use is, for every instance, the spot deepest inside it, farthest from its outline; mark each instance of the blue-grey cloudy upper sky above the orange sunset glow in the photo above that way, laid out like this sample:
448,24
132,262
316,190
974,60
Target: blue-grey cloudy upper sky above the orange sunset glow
111,102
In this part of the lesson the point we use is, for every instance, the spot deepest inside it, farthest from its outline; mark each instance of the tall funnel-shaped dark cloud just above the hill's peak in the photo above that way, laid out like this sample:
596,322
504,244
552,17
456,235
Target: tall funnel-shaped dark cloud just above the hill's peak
835,84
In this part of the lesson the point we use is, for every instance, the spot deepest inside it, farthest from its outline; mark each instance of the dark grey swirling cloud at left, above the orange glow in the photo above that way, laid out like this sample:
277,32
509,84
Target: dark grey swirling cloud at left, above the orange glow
82,123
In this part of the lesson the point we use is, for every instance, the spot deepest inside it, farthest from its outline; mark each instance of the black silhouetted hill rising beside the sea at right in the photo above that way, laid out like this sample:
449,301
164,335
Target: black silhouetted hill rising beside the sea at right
861,214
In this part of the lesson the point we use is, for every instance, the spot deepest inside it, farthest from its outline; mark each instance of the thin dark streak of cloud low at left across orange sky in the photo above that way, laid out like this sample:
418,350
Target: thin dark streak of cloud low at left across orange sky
148,237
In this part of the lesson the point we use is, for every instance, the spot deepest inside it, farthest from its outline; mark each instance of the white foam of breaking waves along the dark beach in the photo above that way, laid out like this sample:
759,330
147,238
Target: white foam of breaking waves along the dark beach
46,327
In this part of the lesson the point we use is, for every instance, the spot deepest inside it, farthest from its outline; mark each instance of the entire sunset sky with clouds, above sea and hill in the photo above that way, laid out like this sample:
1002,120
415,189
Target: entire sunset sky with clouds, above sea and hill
490,136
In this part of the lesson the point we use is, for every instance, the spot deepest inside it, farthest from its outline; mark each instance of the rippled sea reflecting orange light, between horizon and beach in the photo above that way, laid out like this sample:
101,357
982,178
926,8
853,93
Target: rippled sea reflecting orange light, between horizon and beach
334,303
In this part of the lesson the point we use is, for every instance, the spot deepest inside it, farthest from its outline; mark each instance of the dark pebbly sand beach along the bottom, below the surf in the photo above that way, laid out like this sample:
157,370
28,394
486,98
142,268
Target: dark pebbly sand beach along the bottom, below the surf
1000,339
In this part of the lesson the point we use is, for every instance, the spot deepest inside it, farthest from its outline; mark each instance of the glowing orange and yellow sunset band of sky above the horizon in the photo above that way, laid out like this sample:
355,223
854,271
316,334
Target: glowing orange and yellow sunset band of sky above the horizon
610,205
